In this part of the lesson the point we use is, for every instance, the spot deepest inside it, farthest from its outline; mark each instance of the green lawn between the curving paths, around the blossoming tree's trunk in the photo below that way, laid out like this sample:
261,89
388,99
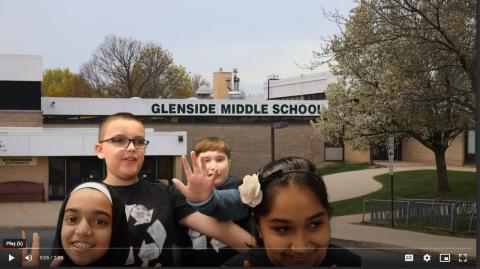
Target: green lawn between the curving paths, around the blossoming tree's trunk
413,184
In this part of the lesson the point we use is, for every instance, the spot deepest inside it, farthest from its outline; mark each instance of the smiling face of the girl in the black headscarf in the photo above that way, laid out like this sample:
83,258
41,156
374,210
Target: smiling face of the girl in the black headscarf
87,226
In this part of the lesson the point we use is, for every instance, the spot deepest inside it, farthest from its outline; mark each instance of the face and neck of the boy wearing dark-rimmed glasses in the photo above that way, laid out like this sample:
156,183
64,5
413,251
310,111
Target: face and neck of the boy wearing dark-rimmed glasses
123,164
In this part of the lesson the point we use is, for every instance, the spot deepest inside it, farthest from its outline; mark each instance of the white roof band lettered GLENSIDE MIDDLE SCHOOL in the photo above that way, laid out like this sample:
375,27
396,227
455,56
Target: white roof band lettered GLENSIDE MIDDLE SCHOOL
180,107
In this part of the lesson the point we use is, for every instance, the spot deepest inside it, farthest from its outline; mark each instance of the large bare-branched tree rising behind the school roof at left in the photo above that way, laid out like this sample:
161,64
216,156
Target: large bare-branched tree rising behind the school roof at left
123,67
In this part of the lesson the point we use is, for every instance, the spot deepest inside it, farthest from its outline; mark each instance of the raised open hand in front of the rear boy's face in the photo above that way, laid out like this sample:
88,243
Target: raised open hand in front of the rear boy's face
199,185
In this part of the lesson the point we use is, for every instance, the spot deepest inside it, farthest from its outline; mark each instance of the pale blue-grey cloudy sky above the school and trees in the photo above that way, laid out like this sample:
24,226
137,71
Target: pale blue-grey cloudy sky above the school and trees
258,37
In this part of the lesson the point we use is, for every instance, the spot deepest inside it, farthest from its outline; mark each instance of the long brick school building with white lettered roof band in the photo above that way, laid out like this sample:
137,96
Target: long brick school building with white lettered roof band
47,143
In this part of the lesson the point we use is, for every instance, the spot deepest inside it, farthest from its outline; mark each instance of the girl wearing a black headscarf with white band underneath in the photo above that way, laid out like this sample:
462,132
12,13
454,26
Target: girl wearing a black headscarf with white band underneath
91,229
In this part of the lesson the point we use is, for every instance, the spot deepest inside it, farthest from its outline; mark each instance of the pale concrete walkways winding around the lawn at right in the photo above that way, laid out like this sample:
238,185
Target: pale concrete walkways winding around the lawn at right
357,183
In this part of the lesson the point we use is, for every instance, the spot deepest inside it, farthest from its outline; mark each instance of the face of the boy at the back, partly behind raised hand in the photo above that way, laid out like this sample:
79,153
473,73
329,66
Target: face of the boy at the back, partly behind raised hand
217,160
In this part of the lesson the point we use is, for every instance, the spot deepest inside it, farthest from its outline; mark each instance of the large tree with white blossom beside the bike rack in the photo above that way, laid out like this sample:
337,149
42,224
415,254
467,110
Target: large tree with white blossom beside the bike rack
409,66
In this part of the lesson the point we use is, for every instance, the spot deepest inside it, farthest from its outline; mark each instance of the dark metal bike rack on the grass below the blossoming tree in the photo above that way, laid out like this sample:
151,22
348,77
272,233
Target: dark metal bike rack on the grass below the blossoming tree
450,215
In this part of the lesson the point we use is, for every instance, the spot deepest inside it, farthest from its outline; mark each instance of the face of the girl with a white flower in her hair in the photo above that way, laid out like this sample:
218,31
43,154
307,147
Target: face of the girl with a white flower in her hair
296,231
